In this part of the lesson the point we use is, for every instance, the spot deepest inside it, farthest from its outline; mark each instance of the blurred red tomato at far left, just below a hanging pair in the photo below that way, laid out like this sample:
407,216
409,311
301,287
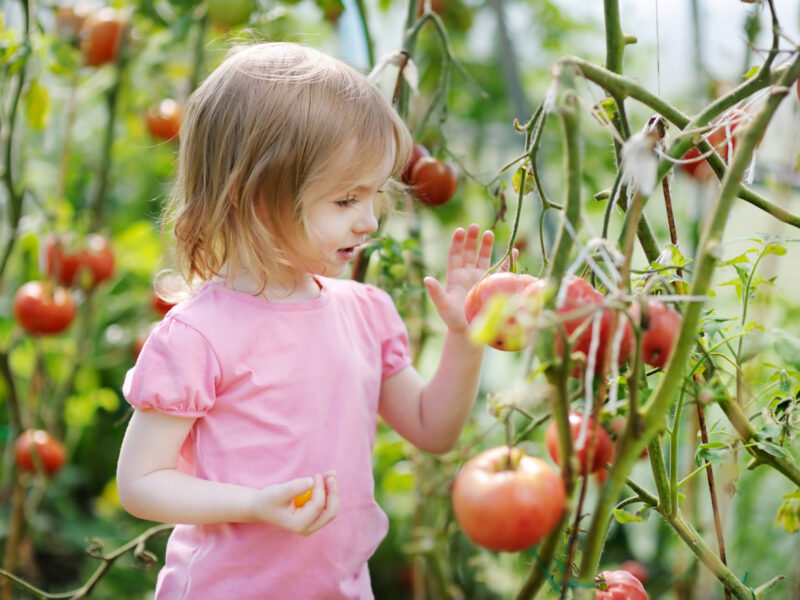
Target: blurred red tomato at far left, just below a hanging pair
41,309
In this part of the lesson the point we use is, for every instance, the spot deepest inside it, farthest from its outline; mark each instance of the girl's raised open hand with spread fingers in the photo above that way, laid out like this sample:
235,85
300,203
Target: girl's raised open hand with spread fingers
468,260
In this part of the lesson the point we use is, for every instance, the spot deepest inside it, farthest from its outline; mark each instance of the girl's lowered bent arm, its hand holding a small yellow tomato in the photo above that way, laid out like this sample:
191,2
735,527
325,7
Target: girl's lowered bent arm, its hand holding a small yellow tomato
150,486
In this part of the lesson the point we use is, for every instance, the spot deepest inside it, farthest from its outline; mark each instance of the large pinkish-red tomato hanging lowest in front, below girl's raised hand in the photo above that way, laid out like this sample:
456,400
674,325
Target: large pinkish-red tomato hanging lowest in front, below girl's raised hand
507,501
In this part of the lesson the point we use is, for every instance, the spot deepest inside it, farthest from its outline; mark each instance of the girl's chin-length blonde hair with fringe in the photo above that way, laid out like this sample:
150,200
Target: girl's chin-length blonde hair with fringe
257,134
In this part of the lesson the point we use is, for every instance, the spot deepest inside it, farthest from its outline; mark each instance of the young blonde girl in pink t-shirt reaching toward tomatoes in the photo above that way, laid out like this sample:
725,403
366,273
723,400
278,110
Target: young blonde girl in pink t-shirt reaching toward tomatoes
268,380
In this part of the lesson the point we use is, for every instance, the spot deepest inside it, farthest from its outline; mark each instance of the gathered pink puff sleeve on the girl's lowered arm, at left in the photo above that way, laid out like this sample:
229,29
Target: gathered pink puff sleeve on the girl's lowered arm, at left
177,372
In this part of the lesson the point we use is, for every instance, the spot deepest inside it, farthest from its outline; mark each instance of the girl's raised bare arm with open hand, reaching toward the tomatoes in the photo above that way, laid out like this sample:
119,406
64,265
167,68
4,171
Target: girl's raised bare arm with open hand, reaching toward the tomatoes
431,415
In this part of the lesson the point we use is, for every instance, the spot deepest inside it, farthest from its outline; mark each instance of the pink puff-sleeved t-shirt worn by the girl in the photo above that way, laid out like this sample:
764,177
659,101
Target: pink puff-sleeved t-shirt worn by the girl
280,390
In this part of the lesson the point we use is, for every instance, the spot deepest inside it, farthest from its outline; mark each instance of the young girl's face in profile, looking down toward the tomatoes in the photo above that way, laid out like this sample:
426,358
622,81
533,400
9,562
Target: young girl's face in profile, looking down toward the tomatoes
339,218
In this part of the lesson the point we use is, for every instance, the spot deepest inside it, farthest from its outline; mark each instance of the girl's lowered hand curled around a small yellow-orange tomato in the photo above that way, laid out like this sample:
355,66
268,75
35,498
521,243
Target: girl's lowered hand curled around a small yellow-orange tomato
275,504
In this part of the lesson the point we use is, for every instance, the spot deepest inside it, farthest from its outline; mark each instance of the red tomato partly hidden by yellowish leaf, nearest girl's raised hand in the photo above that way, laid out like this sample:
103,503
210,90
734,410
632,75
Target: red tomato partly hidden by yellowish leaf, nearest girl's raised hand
511,336
